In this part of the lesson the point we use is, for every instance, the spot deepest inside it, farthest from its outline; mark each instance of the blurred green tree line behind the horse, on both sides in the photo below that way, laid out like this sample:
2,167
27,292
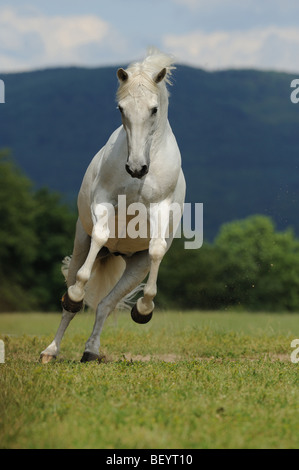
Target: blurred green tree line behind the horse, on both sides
248,266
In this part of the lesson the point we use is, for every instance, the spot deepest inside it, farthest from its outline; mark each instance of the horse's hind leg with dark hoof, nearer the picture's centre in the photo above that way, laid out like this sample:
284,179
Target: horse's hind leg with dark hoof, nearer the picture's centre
137,267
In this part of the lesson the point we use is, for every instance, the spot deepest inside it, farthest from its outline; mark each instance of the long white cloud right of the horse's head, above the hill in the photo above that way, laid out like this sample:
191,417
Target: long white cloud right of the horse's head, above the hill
266,48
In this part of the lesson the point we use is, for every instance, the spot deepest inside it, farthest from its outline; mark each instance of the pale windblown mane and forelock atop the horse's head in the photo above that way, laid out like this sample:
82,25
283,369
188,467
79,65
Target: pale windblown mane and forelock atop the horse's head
142,73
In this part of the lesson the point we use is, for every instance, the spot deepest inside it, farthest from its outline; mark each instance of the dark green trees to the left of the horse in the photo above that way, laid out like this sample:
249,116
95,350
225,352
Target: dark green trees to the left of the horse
36,232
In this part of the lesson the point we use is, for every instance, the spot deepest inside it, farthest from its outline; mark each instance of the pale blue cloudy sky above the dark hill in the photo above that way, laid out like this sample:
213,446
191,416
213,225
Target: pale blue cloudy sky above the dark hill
211,34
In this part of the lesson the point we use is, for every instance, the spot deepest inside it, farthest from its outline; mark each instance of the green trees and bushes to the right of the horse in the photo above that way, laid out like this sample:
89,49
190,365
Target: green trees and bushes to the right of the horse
249,266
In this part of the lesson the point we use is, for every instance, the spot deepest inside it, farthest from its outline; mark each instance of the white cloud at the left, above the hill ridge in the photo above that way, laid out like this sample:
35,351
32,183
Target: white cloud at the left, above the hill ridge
34,40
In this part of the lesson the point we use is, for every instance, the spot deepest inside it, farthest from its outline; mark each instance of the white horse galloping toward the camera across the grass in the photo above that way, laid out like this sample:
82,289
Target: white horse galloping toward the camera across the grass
142,161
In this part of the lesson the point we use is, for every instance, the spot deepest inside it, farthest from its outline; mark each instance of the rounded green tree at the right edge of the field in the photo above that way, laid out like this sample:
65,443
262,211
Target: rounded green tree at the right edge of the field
260,267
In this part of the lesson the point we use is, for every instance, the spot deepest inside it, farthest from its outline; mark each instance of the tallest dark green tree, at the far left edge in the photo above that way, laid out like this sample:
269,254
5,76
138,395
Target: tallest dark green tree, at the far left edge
18,240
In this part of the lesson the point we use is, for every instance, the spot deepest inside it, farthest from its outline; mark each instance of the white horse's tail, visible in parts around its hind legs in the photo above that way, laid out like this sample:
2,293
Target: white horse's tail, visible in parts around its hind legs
106,272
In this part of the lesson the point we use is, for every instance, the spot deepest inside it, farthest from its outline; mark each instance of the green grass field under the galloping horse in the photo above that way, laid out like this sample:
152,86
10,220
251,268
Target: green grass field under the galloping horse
183,381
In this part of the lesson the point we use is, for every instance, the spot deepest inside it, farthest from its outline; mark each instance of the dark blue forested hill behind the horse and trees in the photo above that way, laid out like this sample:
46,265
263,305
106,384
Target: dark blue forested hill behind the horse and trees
238,132
